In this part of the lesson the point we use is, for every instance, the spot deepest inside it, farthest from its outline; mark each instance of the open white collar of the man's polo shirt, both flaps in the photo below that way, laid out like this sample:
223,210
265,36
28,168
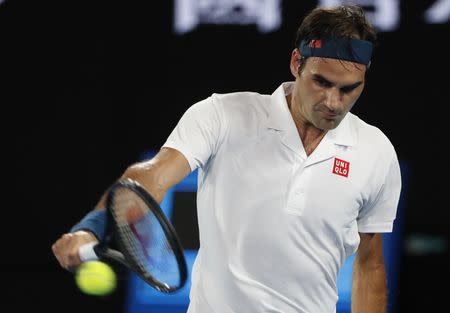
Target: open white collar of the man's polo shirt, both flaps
280,118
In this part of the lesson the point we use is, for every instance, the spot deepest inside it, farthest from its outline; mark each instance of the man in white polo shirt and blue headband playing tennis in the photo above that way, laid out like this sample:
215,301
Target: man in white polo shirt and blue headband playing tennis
290,184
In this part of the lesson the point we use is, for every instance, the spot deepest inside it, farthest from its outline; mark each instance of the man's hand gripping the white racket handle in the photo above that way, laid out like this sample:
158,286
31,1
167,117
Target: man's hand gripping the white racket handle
66,248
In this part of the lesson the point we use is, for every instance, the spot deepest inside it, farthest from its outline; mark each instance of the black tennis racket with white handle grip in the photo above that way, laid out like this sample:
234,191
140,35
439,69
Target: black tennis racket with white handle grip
146,242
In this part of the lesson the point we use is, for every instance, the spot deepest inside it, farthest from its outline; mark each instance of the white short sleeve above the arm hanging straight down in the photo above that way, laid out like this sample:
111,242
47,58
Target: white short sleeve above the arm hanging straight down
378,216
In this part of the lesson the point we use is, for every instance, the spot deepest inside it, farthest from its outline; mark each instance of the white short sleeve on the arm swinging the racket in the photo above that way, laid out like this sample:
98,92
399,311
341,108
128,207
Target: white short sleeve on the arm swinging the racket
198,133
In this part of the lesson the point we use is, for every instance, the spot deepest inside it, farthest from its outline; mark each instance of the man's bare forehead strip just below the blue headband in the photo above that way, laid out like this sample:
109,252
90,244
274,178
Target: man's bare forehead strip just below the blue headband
335,70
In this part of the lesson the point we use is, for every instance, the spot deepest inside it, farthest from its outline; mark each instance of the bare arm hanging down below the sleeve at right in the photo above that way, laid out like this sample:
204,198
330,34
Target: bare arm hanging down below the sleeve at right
369,285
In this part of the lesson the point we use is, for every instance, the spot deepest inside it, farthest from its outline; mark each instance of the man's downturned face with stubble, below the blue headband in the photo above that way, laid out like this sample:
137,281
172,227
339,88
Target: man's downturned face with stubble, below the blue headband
325,90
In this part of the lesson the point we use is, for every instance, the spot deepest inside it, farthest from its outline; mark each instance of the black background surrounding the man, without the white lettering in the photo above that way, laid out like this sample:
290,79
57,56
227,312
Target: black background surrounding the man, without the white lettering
89,86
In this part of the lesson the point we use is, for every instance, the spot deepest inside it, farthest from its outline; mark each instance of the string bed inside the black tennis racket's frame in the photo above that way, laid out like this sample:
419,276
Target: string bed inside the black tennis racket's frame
145,238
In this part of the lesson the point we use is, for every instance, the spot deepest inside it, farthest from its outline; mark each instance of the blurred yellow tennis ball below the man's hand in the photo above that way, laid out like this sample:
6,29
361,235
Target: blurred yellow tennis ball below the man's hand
96,278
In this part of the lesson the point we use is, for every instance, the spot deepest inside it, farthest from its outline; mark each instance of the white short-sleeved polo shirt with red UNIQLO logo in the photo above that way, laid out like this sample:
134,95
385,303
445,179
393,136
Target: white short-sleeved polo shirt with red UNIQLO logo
275,225
